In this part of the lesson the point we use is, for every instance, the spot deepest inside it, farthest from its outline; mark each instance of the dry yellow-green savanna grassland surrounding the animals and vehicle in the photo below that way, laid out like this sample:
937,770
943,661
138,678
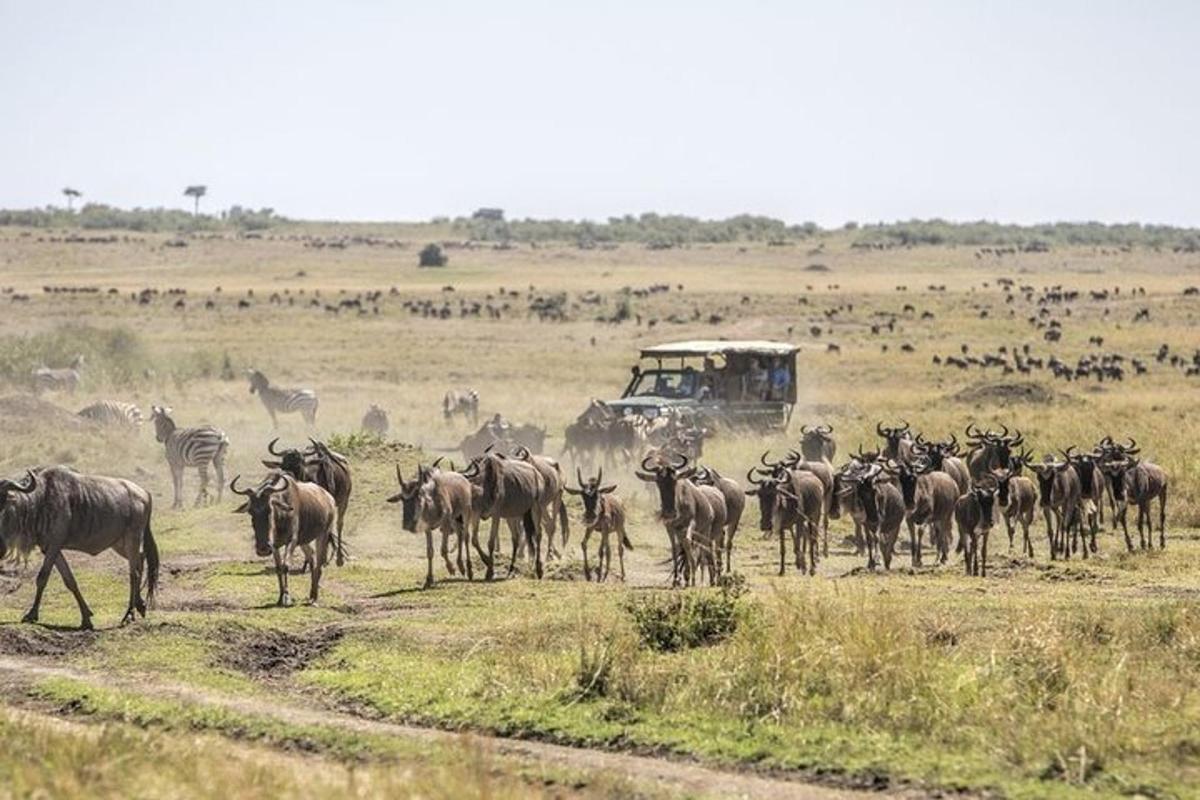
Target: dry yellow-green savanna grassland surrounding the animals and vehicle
1043,681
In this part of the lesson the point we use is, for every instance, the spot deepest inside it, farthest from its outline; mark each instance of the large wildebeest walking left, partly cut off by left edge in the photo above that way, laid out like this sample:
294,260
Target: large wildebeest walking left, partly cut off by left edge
57,509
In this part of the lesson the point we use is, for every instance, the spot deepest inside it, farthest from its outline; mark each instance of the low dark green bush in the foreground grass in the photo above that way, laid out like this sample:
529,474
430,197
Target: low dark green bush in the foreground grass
680,621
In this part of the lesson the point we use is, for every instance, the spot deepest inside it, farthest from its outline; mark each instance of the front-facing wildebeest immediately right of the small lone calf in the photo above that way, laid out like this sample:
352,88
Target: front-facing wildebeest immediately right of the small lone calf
694,518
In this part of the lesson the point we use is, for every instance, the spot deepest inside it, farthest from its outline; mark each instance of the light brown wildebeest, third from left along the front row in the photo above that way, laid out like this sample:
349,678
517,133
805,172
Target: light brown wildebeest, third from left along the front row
440,501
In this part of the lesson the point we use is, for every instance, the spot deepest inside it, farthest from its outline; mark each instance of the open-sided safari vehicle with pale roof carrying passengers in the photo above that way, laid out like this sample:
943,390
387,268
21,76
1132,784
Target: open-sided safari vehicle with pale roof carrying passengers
740,384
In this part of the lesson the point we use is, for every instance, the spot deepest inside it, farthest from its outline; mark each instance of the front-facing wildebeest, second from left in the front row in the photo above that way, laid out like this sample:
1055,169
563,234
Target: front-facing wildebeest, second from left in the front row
287,513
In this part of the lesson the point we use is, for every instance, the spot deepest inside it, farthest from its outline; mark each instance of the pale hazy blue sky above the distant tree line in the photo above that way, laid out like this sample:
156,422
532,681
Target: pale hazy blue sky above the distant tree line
831,112
